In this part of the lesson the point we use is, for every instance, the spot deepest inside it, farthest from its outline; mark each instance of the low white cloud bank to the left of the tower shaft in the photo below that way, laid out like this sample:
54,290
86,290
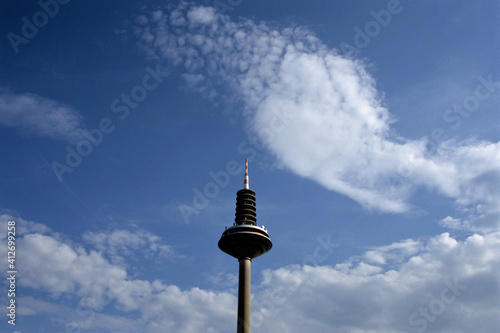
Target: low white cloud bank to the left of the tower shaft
97,282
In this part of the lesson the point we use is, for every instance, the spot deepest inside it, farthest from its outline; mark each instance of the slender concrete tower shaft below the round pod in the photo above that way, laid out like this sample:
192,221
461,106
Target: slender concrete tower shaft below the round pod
244,296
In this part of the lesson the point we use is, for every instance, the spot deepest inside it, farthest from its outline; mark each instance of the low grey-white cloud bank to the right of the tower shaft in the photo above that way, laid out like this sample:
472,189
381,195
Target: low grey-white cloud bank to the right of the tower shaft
437,288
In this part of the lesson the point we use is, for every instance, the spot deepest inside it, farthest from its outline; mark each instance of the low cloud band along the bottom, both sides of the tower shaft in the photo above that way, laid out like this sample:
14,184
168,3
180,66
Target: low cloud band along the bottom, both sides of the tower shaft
439,284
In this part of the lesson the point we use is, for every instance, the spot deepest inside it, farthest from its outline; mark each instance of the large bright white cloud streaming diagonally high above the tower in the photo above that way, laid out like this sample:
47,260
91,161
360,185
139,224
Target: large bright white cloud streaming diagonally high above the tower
320,113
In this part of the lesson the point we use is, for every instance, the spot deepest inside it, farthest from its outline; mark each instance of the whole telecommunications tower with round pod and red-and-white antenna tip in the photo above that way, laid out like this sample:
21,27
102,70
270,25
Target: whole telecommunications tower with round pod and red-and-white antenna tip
245,241
